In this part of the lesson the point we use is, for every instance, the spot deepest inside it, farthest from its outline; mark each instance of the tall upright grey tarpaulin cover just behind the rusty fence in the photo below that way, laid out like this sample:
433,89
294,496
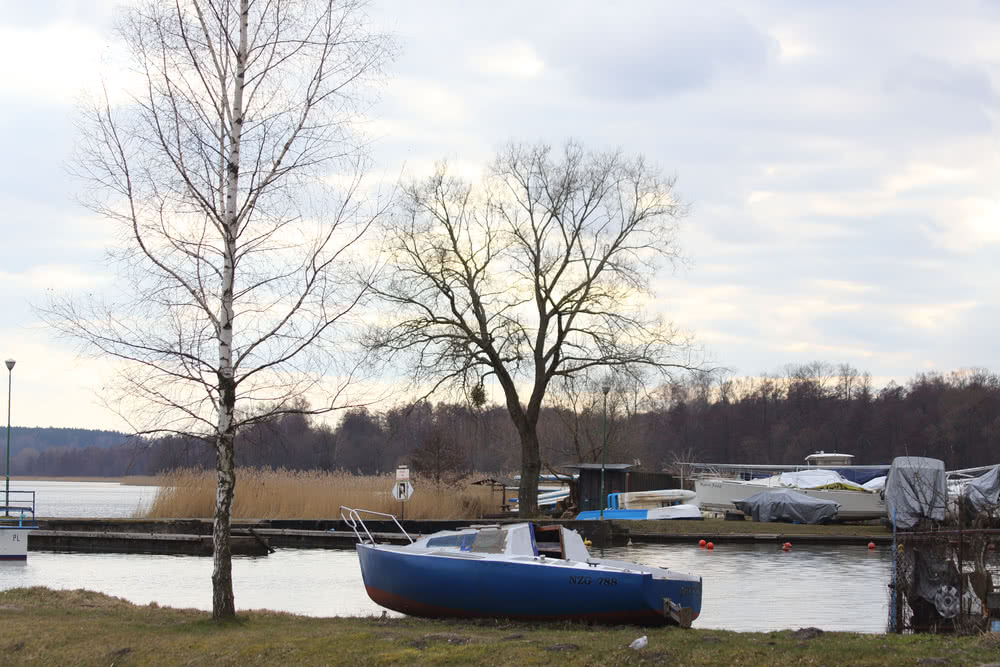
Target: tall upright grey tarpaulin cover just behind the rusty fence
916,489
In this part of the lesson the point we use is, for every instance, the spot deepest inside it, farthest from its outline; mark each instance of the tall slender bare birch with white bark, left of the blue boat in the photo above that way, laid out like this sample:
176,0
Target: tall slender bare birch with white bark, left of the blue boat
217,169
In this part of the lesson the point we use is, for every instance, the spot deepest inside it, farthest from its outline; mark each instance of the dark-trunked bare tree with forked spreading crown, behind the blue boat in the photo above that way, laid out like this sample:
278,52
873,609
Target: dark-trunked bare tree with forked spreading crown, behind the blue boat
541,271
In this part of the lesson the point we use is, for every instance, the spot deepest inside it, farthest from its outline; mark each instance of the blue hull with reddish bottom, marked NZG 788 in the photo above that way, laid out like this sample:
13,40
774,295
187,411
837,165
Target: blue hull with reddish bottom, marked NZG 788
439,585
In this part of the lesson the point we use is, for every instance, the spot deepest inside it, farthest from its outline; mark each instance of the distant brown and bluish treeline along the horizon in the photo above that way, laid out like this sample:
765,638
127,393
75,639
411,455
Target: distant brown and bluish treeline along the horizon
774,419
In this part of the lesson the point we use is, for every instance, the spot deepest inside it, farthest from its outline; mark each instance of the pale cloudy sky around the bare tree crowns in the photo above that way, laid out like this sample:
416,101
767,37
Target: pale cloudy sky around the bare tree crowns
840,160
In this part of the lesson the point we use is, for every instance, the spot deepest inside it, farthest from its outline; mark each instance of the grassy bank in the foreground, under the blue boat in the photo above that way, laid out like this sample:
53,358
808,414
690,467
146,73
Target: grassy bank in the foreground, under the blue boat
44,627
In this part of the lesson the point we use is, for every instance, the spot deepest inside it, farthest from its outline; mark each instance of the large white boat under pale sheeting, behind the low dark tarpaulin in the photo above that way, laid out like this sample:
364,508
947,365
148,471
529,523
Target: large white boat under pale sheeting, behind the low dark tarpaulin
718,494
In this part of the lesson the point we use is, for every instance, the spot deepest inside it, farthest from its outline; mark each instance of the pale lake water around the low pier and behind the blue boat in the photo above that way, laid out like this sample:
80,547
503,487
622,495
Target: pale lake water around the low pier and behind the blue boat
746,587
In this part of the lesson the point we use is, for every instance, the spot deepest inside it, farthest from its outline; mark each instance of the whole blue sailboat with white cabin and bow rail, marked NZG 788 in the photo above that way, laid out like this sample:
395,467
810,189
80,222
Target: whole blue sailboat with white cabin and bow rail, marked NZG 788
519,571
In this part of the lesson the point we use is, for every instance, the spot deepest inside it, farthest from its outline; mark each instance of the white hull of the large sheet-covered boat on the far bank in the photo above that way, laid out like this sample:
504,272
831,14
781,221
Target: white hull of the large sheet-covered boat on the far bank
719,495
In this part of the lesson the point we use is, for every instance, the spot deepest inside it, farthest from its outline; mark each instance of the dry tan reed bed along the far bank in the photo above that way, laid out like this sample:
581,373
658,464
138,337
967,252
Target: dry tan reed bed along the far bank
287,494
